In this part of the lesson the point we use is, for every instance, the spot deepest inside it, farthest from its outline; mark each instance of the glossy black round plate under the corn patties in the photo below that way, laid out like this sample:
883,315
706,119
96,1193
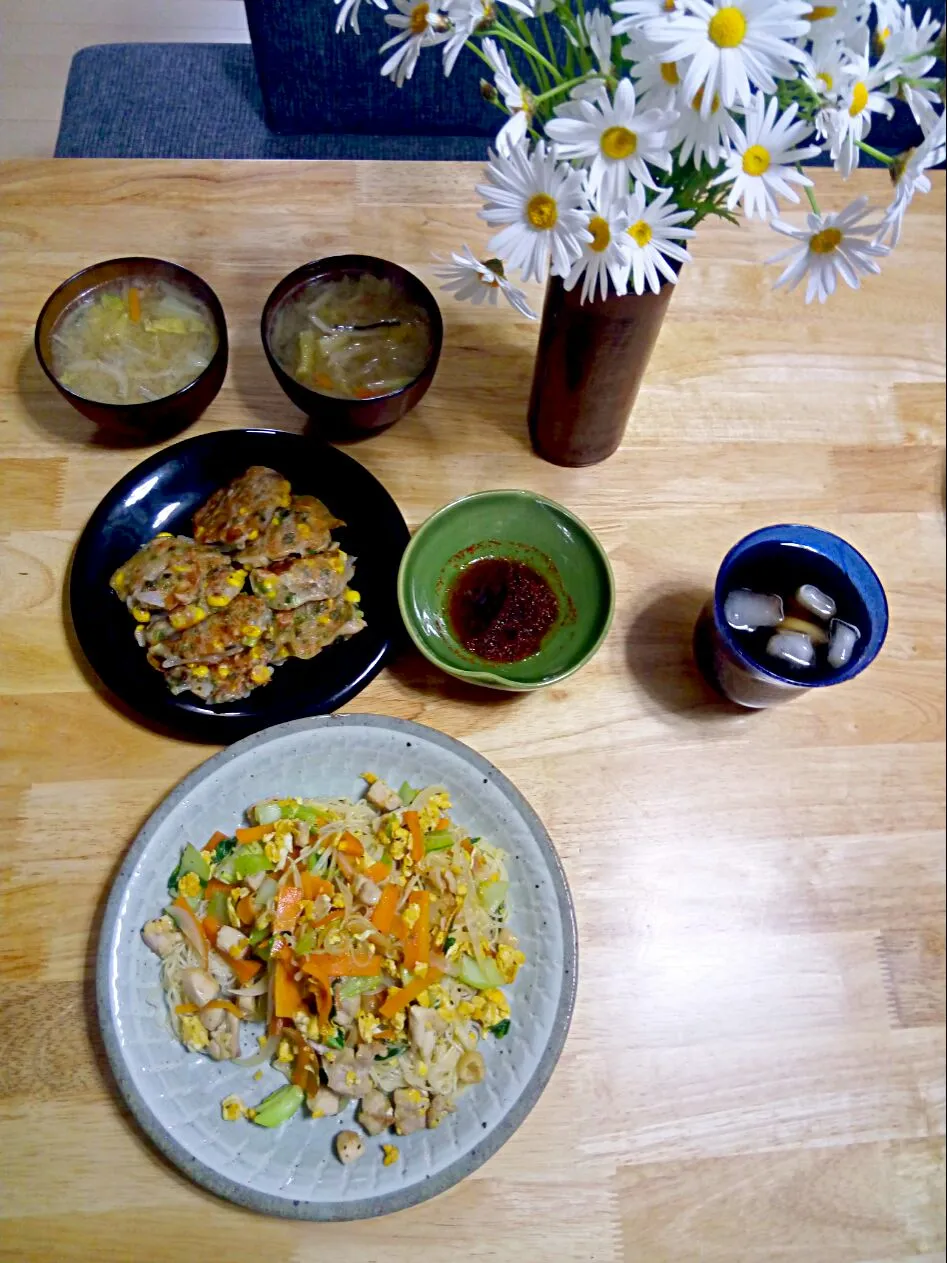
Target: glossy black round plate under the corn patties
162,494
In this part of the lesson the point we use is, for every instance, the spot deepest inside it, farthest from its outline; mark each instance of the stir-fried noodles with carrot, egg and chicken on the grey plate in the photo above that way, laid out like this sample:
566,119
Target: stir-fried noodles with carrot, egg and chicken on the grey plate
371,939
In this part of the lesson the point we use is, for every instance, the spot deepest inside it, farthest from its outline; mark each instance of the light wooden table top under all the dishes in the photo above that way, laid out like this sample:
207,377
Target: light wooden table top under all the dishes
756,1068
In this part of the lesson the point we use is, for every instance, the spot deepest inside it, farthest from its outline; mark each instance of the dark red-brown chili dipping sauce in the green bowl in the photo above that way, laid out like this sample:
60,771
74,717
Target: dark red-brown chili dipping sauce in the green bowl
501,609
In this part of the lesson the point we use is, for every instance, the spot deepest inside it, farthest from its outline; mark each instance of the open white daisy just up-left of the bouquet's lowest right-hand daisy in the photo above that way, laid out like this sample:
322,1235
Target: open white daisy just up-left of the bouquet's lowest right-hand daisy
763,161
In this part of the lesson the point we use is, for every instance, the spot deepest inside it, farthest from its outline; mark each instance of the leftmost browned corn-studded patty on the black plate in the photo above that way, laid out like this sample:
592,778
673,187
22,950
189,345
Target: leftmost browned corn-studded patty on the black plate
175,574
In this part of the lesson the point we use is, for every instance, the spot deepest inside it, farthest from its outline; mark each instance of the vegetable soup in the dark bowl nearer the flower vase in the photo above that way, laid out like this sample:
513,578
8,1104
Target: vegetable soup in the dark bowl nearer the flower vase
388,350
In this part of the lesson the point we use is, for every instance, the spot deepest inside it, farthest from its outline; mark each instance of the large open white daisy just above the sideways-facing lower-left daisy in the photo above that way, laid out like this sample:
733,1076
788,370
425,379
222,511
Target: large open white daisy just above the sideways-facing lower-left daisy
542,205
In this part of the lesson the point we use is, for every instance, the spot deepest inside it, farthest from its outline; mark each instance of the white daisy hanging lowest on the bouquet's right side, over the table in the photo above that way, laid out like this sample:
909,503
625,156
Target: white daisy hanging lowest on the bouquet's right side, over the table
828,248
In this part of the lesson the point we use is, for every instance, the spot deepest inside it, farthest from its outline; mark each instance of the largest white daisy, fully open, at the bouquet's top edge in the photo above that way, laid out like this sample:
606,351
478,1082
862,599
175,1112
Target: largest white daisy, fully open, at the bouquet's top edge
734,46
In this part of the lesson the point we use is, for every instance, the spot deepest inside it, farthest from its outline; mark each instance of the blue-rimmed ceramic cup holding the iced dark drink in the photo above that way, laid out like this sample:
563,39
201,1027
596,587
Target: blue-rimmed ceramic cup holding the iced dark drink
768,559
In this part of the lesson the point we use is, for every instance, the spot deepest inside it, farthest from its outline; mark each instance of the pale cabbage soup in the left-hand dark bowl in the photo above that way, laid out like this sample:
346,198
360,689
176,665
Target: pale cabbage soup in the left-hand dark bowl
132,342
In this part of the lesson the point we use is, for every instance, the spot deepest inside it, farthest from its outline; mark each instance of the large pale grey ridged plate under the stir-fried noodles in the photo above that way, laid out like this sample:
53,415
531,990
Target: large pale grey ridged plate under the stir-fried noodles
176,1096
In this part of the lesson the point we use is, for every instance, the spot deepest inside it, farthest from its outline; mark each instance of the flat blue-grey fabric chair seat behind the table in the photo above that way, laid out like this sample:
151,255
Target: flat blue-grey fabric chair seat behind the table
203,102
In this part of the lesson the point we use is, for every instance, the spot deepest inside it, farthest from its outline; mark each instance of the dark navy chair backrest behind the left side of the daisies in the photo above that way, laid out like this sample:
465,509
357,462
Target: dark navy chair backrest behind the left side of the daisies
314,80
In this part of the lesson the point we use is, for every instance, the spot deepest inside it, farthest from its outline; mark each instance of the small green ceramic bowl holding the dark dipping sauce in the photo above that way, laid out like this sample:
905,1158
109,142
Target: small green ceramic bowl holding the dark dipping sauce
523,527
